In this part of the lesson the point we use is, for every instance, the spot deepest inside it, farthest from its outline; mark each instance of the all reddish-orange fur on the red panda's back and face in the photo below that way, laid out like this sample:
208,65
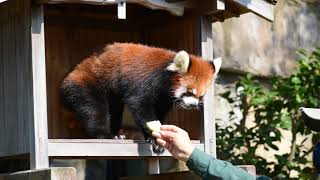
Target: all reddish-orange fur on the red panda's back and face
136,62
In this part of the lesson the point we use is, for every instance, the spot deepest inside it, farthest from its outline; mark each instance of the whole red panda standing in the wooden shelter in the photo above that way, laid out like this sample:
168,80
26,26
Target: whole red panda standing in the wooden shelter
148,80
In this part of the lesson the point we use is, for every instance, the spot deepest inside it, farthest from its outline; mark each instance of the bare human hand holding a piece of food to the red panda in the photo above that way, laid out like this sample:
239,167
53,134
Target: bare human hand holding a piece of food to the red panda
175,140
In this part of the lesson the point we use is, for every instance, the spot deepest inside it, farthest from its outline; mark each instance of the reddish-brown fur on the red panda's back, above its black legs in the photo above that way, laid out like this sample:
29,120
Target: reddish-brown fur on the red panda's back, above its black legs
133,60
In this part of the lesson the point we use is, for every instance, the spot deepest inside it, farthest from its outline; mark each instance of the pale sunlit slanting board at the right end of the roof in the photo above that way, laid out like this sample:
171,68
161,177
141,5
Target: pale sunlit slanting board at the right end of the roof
259,7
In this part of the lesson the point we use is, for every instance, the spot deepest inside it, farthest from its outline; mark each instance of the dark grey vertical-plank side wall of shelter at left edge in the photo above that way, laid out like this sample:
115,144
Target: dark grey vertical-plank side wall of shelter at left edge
14,100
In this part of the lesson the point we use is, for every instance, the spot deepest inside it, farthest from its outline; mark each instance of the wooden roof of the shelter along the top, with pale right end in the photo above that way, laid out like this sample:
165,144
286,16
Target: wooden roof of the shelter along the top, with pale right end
218,9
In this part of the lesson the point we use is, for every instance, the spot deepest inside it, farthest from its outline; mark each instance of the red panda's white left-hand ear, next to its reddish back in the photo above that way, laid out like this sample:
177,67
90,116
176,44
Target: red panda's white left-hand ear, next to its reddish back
180,63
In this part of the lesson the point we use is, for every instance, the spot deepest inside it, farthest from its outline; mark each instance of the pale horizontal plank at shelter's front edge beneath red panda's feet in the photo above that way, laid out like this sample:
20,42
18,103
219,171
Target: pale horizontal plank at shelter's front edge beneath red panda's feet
84,148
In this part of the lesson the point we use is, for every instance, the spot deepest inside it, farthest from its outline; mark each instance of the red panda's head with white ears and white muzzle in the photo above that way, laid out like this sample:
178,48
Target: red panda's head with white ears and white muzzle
193,78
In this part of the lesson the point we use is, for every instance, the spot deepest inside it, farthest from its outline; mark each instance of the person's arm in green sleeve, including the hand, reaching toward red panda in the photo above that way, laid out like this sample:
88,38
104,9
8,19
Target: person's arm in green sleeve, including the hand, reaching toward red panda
177,141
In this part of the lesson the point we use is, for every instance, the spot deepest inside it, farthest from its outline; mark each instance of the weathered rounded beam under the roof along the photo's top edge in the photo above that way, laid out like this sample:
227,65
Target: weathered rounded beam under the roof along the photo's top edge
176,9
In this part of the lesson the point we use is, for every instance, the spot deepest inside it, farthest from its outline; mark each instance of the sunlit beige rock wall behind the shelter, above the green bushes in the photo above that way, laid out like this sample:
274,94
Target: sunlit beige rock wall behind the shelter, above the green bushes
252,44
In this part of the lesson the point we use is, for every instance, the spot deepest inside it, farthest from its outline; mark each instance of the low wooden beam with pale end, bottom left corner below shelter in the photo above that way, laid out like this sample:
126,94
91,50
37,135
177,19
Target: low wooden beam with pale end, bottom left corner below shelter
67,173
